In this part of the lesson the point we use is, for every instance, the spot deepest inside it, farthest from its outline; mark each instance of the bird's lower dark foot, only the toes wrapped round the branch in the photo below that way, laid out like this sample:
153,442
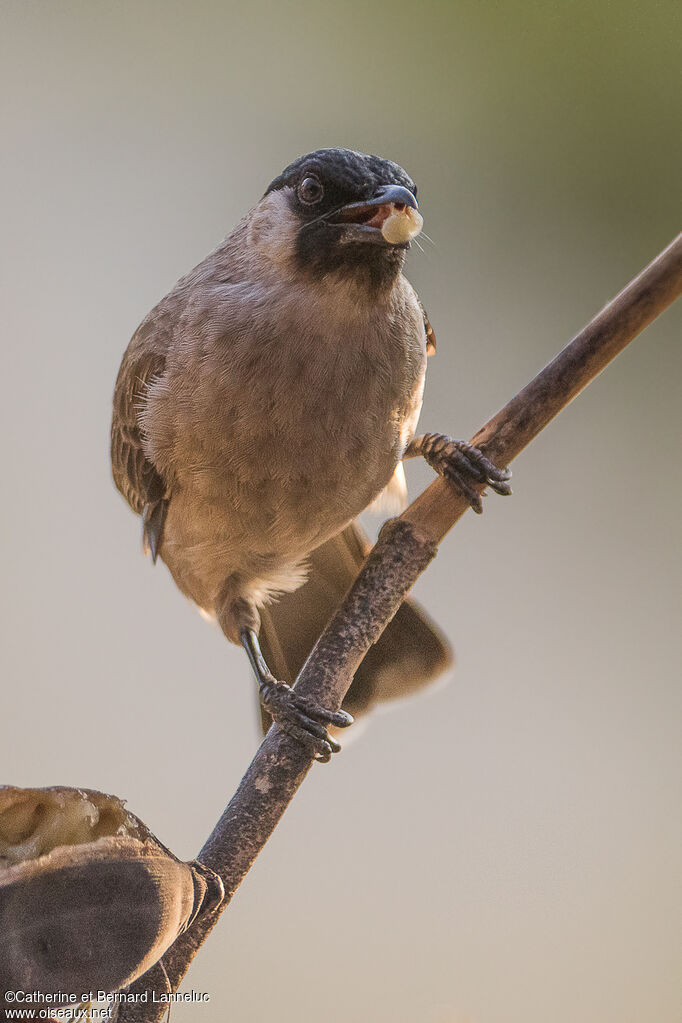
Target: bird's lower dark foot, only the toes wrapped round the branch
303,720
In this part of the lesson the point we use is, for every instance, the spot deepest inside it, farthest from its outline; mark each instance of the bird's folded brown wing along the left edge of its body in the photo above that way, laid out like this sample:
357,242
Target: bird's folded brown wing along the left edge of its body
134,475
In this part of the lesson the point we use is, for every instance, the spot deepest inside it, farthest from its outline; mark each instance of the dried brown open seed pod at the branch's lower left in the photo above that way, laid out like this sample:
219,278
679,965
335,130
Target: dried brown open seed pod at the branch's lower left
89,899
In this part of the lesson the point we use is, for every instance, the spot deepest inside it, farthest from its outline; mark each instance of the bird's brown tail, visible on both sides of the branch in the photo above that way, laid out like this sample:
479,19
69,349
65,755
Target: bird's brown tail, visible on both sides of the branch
411,653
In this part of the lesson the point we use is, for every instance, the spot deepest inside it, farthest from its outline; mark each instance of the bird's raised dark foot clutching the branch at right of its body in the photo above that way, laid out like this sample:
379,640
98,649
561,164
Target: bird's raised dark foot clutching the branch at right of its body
464,466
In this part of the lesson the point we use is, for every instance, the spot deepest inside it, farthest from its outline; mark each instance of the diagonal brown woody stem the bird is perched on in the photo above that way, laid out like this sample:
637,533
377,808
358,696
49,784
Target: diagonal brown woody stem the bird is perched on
404,549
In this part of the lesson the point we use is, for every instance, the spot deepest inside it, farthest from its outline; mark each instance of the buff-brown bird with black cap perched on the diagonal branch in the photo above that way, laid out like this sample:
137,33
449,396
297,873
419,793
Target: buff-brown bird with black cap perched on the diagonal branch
266,403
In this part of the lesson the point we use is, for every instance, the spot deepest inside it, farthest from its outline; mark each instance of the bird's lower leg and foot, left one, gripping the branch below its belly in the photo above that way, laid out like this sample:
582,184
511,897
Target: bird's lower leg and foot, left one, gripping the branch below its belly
300,718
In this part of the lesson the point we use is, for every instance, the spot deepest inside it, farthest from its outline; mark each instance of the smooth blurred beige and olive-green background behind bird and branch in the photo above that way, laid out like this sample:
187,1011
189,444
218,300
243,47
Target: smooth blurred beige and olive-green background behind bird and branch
505,850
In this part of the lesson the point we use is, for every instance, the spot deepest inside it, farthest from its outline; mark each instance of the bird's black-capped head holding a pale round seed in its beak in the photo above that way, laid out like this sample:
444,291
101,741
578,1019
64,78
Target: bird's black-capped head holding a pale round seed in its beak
348,214
